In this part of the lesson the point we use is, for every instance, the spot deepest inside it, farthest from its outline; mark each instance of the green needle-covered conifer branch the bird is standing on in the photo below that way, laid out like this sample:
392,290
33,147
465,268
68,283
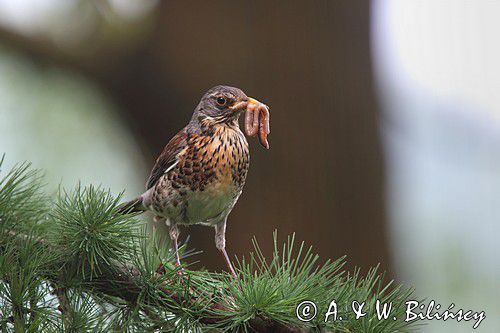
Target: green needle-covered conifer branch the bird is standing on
103,266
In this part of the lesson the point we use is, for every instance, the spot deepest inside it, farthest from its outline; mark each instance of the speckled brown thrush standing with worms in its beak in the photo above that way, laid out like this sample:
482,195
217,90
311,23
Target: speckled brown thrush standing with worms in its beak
200,174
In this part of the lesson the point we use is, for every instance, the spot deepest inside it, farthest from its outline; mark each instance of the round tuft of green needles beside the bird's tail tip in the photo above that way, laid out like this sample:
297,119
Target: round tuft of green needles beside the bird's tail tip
90,231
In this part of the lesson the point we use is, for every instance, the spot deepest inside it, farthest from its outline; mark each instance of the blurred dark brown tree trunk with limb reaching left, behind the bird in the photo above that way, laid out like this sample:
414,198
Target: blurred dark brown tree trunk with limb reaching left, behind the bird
310,61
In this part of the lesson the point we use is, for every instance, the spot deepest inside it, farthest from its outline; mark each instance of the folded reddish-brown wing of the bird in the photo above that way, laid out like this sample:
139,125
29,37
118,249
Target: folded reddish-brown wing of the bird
168,158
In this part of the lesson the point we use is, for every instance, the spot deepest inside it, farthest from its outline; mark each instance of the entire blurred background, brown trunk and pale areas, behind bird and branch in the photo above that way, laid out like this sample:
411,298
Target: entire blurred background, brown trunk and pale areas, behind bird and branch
384,115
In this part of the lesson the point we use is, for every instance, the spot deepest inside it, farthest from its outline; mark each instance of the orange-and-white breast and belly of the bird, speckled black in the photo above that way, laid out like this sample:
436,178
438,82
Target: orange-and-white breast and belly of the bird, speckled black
209,176
